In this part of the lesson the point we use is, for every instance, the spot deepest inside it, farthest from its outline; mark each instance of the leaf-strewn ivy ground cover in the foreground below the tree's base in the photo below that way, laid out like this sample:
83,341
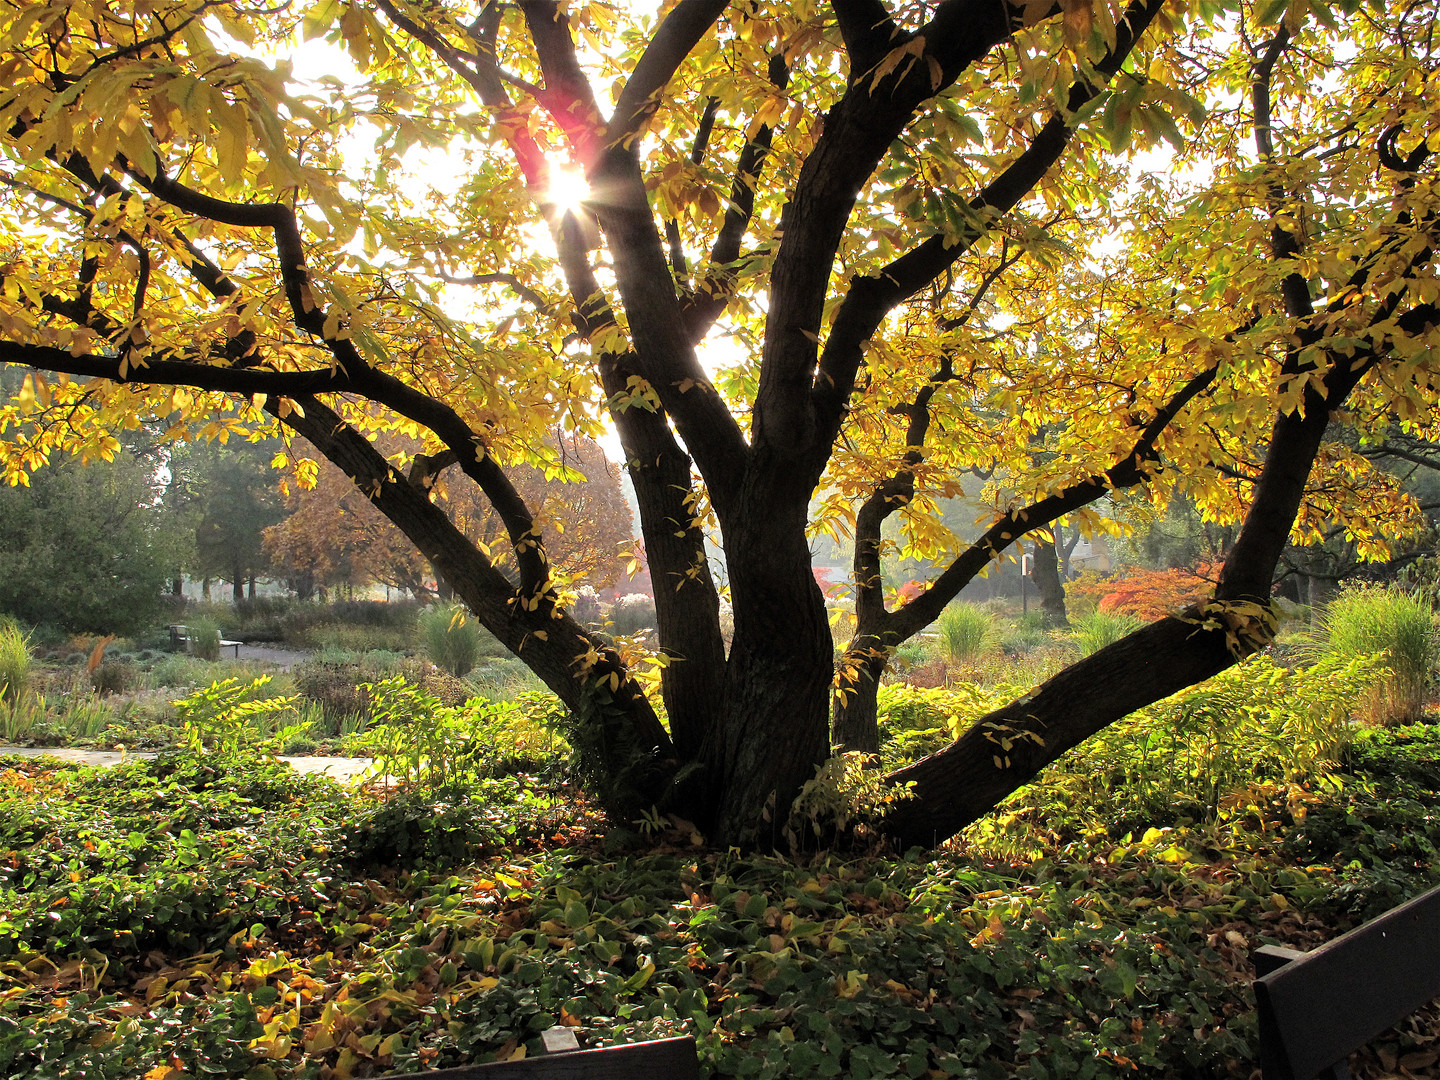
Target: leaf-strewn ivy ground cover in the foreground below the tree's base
207,917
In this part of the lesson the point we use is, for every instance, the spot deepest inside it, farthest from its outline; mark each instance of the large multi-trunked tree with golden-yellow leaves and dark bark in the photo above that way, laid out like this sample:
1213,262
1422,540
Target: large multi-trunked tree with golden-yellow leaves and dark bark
918,231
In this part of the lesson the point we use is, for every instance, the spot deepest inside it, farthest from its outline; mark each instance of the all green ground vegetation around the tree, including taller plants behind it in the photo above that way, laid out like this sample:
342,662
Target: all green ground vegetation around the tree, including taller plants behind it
211,914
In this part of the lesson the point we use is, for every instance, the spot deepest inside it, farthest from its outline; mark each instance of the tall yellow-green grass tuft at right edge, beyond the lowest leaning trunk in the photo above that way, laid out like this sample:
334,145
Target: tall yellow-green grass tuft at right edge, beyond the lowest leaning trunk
1402,627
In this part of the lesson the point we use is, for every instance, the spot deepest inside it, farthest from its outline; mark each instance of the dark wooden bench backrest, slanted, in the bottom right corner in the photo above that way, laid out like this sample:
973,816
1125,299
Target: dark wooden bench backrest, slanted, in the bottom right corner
1318,1007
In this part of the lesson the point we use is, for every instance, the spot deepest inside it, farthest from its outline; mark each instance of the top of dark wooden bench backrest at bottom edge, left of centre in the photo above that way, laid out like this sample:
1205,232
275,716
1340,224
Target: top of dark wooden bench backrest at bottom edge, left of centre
665,1059
